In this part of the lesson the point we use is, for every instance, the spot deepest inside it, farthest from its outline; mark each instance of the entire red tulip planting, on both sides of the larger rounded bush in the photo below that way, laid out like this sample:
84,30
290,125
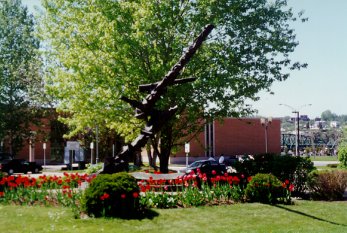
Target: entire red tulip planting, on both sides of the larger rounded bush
184,191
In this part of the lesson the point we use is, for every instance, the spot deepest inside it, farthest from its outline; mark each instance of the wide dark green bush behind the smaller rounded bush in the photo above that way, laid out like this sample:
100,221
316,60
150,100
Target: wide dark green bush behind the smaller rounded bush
293,168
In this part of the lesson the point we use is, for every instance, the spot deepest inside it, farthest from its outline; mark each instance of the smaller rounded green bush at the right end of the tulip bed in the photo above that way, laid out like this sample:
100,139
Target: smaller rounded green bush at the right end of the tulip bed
267,188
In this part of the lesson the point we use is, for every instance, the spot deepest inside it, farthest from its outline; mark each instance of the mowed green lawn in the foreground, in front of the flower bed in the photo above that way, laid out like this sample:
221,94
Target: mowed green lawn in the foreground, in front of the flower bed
304,216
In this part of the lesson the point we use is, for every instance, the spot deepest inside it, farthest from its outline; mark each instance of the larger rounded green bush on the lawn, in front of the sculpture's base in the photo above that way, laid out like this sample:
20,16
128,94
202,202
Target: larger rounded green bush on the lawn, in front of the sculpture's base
112,195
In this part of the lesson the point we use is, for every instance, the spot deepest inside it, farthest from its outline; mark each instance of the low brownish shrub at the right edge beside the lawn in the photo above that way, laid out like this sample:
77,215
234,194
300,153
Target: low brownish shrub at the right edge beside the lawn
328,185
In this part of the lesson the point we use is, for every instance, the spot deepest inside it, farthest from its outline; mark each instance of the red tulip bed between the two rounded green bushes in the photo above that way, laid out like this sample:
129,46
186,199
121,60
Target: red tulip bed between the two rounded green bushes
193,190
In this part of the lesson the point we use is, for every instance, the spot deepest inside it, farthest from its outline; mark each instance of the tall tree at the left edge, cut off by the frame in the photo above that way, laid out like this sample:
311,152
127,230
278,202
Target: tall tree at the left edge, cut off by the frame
19,73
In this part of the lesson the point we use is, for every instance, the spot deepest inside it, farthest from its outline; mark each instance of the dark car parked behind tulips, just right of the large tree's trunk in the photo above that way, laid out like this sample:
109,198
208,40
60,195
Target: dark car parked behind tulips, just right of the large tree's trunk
207,166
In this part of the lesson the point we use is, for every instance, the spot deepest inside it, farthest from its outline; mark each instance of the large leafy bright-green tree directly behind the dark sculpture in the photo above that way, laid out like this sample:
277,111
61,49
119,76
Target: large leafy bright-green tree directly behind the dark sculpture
103,49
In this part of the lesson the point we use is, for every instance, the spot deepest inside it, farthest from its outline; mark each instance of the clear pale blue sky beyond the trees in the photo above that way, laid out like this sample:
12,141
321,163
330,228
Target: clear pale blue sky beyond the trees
323,46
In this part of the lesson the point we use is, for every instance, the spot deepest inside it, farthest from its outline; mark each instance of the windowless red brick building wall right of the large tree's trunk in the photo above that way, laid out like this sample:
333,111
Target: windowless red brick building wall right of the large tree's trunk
234,136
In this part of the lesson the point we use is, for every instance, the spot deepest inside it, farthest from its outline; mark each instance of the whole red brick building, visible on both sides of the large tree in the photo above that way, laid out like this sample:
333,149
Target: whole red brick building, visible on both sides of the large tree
233,136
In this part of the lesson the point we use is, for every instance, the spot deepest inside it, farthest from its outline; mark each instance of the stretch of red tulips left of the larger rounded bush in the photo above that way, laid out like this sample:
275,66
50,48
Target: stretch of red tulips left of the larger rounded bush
44,190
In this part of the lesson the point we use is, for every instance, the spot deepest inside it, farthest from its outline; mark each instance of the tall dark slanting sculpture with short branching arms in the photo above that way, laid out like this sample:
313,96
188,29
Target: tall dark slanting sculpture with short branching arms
155,119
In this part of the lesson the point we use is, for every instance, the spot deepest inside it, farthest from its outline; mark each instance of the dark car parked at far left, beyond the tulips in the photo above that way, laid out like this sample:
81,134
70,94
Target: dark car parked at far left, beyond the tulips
19,166
